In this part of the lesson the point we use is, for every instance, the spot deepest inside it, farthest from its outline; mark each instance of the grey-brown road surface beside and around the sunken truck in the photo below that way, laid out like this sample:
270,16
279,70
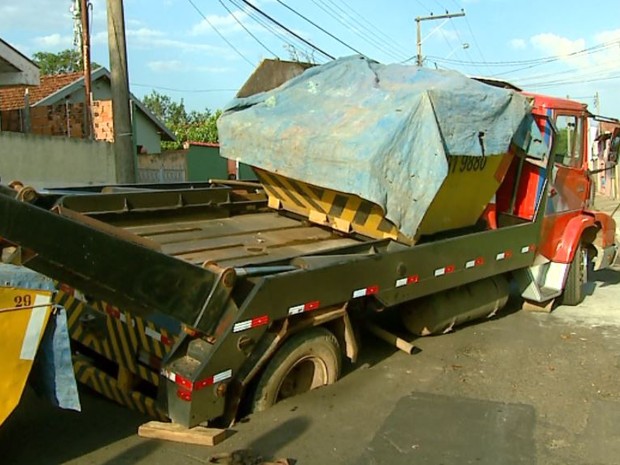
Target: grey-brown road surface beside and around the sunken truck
521,388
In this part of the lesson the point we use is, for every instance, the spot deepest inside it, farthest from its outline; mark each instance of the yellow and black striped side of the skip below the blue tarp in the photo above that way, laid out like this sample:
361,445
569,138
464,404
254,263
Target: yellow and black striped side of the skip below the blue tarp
341,211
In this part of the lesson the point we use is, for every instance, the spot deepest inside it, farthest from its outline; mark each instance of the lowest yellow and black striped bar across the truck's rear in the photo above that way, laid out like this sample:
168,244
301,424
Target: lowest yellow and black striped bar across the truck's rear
109,387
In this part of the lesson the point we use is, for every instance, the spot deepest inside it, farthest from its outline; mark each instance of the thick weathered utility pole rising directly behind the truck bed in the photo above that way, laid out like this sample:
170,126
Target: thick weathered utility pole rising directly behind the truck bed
123,145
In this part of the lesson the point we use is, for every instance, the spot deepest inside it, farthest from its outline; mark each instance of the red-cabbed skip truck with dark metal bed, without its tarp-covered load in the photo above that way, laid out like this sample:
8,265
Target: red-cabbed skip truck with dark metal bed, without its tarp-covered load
183,301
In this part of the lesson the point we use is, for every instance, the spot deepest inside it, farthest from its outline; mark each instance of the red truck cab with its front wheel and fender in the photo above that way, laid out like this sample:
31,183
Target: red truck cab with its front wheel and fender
575,239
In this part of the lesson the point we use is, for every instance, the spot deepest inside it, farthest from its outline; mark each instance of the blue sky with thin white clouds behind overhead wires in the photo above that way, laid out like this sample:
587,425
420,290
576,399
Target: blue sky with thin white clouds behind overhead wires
202,51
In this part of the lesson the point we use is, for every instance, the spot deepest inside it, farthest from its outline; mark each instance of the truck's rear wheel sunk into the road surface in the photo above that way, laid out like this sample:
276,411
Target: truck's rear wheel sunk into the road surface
308,360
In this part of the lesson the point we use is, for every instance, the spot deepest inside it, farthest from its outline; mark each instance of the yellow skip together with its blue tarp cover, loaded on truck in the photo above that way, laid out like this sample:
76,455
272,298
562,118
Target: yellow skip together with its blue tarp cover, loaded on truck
382,150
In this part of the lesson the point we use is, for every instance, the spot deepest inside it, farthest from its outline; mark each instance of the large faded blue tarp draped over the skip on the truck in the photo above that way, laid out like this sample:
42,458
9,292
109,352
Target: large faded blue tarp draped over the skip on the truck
382,132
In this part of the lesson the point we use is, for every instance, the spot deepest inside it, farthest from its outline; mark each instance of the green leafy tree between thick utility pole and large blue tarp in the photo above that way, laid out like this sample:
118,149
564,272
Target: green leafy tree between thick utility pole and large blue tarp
187,126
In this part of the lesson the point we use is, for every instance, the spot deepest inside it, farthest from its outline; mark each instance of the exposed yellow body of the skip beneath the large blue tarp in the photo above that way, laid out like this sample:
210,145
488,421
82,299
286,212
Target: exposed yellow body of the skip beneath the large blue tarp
456,204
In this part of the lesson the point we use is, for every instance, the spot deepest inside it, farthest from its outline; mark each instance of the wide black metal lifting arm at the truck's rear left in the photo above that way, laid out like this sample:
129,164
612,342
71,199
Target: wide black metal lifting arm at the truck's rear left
102,264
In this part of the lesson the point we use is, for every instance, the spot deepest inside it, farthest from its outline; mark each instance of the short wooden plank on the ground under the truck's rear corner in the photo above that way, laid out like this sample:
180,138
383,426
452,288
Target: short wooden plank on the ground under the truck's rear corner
175,432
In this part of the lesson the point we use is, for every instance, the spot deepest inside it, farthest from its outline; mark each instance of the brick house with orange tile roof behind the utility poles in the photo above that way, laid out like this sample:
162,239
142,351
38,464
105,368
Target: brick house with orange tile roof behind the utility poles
64,94
